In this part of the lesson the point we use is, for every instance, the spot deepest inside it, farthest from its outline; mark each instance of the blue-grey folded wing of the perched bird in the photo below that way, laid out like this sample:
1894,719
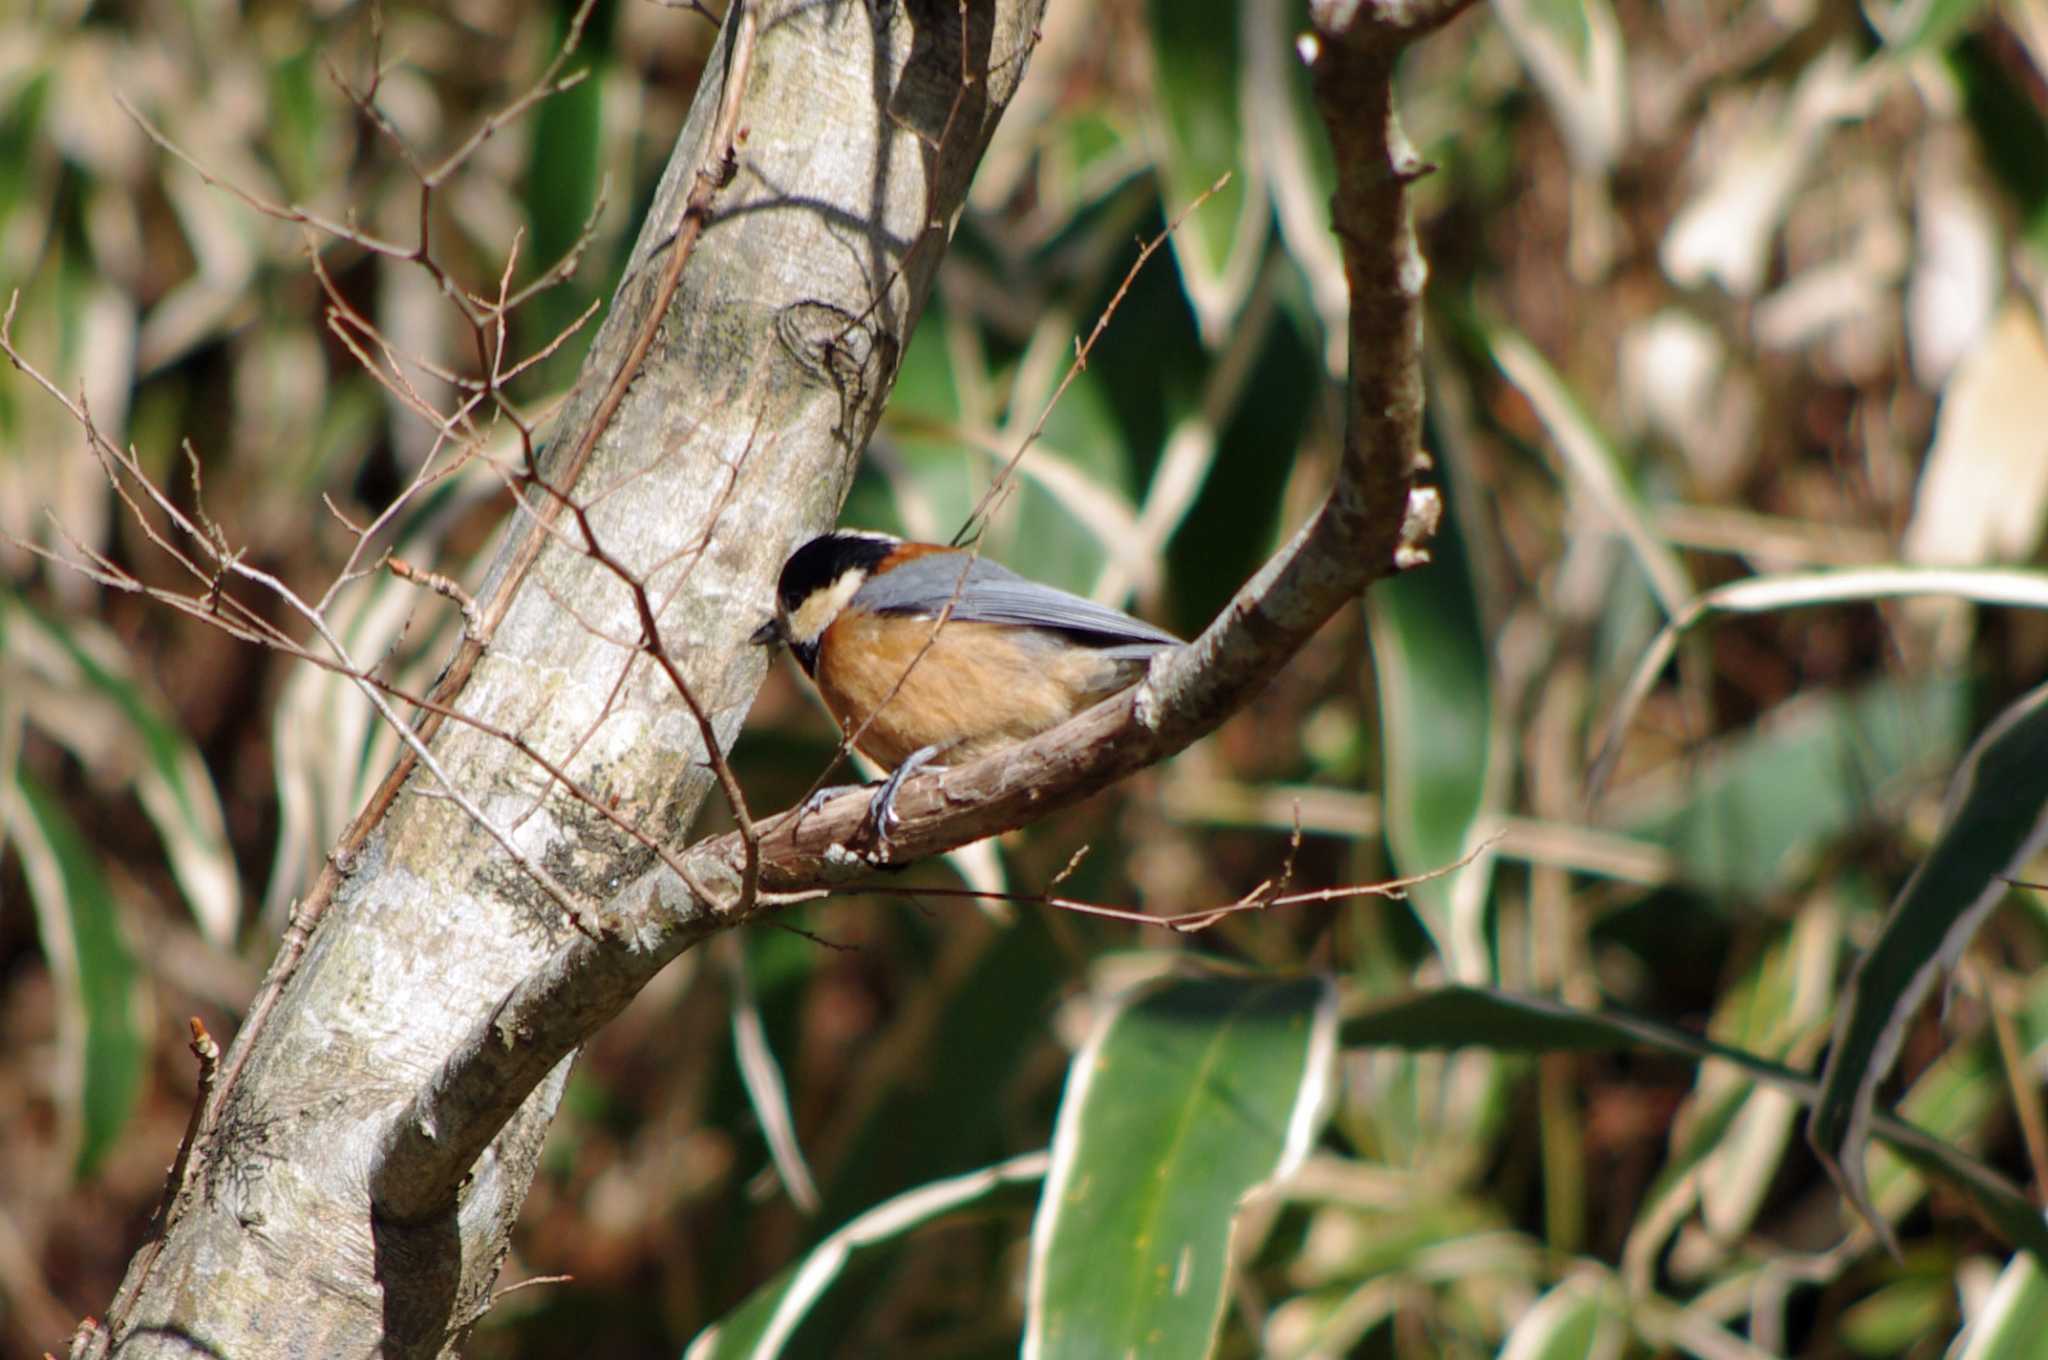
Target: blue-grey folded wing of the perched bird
998,595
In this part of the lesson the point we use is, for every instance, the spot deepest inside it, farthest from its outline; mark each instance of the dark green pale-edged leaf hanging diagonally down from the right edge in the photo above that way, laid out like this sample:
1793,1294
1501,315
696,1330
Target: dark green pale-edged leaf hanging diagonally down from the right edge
1996,822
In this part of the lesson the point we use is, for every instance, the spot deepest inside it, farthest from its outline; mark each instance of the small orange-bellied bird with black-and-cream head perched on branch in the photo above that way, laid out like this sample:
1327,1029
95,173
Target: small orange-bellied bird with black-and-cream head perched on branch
1015,658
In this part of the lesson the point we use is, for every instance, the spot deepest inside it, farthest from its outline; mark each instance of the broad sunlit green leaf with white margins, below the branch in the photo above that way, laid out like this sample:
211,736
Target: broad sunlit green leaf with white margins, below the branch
1191,1095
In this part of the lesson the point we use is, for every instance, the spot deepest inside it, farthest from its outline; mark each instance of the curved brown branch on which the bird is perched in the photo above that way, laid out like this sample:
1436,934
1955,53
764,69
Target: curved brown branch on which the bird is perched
1373,523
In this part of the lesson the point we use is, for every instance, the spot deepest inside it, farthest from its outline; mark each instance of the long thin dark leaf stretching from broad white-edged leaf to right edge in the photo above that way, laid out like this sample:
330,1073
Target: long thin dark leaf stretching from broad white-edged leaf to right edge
1508,1023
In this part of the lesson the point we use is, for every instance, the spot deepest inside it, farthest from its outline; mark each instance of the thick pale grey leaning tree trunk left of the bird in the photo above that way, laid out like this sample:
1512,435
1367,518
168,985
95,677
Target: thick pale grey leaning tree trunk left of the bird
857,132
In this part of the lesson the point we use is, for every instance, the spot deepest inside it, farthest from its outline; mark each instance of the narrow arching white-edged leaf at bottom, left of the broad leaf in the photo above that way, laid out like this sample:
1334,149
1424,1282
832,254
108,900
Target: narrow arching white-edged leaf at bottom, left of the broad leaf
765,1324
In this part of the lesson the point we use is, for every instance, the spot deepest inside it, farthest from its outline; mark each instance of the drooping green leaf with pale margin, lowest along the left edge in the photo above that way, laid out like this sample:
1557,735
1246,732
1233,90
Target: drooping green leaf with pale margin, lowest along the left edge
97,976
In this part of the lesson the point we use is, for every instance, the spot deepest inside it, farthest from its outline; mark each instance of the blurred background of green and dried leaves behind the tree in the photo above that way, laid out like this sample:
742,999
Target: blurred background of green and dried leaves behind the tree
1719,294
